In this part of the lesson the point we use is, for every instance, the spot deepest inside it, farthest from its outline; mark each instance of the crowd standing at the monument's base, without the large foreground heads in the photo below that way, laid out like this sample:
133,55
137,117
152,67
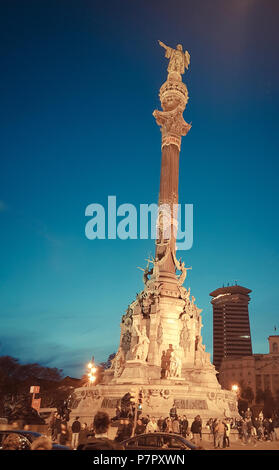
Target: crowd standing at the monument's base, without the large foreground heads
250,429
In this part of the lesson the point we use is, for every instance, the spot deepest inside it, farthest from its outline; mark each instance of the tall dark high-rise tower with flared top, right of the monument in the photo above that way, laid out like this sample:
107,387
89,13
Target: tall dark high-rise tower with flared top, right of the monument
231,326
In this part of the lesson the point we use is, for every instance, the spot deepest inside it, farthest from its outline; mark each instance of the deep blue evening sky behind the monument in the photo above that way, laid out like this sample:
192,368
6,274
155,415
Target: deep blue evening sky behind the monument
79,83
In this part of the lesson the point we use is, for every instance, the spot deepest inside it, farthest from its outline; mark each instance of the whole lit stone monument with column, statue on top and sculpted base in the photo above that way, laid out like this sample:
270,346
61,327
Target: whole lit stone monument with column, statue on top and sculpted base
160,352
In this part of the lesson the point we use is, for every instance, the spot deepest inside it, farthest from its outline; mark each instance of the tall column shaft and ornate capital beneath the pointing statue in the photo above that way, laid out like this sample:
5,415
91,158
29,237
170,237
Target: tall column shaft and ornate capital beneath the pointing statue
173,97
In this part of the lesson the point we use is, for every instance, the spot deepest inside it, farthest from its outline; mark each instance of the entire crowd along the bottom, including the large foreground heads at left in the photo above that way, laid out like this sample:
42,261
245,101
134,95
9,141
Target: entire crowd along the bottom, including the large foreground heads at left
95,437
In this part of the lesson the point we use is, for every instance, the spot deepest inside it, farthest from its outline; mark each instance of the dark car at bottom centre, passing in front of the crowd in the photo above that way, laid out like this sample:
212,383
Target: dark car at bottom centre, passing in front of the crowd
158,440
